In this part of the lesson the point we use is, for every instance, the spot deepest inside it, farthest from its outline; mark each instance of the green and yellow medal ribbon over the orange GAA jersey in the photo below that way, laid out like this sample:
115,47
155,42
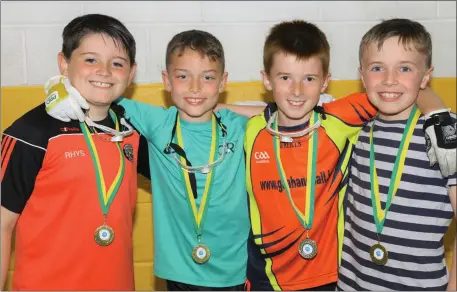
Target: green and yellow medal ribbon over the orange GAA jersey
305,219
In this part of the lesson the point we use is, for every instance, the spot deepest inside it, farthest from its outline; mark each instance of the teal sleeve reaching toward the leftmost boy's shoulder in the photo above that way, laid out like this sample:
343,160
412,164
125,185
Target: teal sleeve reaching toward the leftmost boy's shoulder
144,117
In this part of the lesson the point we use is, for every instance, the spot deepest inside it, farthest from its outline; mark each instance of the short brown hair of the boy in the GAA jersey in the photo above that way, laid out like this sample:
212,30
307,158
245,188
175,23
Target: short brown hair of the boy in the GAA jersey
299,38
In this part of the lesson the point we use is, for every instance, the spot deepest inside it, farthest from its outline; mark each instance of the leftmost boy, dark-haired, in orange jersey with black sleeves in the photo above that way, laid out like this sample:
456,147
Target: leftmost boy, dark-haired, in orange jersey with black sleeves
71,193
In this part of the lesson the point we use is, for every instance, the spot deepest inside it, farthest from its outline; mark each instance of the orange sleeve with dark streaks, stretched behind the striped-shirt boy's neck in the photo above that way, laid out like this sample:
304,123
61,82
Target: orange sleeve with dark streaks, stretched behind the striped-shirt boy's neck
353,110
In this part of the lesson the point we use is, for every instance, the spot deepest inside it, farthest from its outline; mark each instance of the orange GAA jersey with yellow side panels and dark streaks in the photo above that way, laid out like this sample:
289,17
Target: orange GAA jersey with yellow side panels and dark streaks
274,262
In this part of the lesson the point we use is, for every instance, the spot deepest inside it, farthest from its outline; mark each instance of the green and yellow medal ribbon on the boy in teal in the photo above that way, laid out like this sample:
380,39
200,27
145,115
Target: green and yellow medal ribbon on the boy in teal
199,215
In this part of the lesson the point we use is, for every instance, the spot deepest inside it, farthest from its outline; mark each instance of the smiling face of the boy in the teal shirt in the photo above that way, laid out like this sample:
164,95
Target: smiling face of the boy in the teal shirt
195,82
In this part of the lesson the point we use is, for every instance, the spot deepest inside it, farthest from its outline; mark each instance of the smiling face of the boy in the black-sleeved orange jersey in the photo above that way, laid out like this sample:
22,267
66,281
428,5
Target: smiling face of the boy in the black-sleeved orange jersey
99,69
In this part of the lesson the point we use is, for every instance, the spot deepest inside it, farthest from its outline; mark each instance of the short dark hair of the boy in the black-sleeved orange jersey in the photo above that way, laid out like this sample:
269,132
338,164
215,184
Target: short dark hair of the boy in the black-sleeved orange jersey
80,27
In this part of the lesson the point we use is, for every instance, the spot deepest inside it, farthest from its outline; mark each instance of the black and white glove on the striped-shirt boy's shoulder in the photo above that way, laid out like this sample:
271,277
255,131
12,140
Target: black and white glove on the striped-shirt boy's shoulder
441,141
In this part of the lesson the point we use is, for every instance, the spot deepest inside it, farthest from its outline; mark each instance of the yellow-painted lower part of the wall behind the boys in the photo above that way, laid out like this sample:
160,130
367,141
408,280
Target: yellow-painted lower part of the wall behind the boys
15,101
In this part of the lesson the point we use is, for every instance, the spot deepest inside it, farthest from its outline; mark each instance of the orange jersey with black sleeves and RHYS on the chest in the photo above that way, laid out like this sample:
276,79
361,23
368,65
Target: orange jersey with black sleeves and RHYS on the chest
48,177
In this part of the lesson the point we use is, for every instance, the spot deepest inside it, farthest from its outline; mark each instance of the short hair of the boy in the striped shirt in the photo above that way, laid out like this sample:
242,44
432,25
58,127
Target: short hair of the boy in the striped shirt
407,31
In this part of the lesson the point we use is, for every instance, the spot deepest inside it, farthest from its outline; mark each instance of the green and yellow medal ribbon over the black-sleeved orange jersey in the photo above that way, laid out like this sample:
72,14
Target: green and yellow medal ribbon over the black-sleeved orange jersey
105,197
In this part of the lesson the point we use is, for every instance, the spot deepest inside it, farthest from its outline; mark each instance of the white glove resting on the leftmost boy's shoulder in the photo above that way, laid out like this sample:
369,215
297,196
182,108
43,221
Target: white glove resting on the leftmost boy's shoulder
63,101
